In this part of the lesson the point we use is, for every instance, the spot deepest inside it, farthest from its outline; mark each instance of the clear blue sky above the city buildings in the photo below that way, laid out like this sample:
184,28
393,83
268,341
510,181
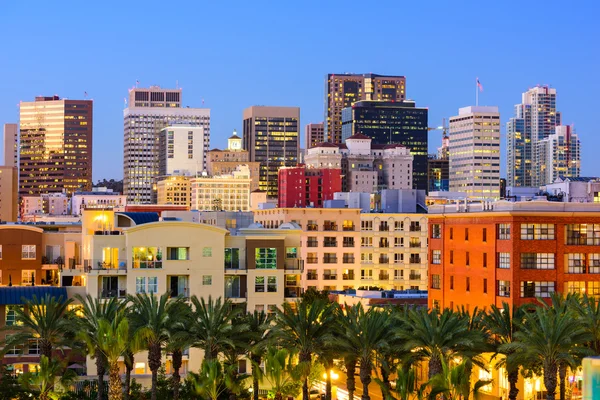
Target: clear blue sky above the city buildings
236,54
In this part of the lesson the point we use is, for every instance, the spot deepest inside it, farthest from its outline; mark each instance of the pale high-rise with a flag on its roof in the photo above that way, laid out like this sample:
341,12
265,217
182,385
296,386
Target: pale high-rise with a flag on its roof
474,152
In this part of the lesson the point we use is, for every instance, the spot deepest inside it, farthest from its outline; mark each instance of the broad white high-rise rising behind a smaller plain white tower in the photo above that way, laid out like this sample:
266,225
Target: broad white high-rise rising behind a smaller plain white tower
151,110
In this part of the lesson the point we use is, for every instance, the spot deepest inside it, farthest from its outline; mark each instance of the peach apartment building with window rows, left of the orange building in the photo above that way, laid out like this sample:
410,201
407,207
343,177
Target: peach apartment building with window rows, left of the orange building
343,248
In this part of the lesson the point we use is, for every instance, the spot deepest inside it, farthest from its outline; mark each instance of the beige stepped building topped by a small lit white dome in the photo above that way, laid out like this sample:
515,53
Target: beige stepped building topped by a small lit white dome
224,162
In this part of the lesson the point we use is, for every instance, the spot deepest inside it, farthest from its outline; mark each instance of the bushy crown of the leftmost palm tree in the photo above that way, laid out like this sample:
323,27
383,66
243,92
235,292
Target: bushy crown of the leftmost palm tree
48,319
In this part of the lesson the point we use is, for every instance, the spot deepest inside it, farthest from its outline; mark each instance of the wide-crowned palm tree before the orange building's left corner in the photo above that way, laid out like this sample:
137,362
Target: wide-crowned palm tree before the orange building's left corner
437,336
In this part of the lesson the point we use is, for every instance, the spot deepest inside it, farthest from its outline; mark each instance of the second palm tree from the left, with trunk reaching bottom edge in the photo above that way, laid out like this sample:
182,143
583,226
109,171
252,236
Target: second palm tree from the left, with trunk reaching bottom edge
92,311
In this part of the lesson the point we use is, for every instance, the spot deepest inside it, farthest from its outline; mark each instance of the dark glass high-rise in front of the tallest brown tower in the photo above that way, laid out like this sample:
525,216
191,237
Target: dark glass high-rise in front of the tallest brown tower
387,122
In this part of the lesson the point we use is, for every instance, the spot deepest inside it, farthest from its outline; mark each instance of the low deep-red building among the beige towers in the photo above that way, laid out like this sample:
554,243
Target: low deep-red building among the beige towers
304,187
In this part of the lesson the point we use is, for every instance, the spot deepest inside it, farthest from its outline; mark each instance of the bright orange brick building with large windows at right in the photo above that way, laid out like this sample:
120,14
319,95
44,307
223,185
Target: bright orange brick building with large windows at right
483,254
